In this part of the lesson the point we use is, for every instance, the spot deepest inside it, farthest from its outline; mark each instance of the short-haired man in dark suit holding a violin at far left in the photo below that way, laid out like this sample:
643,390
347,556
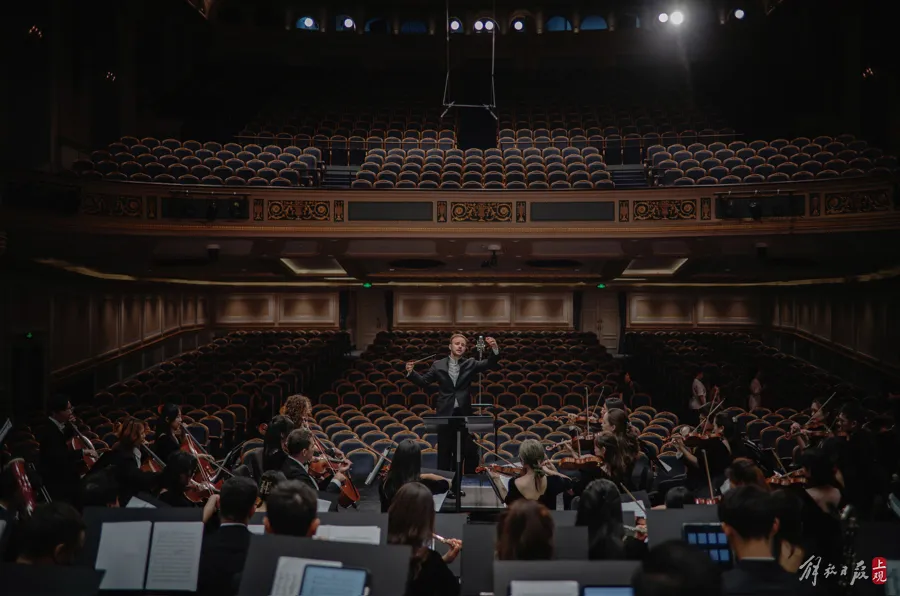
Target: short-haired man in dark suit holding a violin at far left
59,464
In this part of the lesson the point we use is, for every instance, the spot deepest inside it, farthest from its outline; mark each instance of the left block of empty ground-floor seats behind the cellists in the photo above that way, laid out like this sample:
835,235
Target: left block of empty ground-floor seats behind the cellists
222,387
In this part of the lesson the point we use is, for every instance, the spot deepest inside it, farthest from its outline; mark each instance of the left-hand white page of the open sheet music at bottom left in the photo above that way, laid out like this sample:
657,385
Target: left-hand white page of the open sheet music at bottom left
122,554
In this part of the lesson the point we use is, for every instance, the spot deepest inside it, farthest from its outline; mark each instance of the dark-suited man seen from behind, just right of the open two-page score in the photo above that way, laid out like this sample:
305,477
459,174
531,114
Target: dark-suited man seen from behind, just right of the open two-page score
225,550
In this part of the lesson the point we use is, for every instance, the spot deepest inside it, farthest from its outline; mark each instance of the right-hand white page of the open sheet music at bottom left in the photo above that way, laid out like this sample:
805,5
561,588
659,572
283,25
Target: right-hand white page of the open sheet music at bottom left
175,556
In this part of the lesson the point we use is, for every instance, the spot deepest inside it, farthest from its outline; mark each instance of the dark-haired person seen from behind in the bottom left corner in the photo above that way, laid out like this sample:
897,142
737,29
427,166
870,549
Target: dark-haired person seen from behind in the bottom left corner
53,535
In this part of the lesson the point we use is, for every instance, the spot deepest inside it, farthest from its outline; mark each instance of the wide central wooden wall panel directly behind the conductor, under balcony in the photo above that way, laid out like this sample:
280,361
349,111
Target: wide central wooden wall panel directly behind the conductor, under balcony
482,309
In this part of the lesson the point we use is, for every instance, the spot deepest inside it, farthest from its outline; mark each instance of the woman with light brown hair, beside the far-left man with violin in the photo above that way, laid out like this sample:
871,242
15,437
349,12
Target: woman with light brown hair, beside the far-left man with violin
124,461
